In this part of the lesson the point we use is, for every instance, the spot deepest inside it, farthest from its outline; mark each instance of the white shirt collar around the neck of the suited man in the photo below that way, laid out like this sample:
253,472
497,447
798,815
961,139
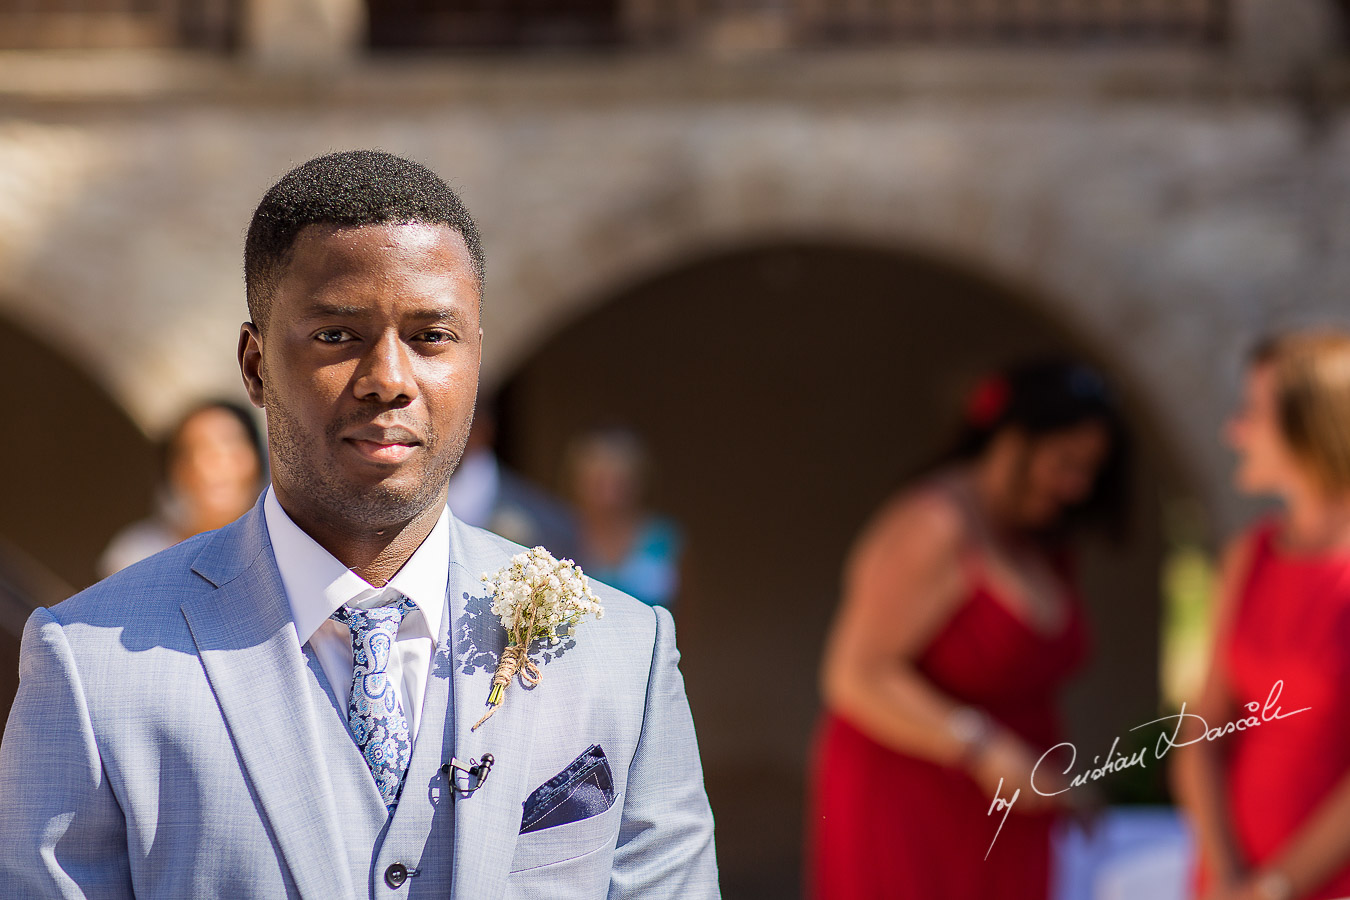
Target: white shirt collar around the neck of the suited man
317,584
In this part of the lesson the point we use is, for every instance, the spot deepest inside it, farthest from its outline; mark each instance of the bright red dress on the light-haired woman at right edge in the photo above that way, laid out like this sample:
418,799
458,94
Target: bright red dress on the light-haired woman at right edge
1293,625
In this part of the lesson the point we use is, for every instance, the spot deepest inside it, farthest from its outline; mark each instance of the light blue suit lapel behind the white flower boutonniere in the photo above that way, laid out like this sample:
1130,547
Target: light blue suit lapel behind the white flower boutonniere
488,821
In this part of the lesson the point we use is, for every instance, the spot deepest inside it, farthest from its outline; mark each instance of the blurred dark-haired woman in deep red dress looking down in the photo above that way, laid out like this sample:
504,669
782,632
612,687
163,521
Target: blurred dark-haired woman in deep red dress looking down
959,625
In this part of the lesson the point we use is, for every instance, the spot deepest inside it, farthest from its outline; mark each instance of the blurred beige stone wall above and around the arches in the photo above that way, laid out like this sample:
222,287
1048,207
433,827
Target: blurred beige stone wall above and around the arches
1159,207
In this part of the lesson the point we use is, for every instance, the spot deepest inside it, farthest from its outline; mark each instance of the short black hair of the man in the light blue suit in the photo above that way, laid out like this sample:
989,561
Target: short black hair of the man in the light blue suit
348,190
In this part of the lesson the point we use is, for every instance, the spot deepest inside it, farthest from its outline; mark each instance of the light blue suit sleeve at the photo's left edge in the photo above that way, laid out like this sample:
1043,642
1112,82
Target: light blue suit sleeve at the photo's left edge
63,833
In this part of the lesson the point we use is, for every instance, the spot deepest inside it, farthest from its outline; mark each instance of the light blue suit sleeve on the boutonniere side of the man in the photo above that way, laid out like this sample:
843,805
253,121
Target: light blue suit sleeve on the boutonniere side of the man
666,837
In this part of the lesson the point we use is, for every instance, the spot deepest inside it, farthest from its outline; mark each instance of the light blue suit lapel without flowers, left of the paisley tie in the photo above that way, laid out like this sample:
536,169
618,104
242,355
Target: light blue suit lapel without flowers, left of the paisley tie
252,655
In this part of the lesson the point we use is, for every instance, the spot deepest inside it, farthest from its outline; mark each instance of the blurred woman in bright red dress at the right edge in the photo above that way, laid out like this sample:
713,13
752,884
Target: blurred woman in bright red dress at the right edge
1271,804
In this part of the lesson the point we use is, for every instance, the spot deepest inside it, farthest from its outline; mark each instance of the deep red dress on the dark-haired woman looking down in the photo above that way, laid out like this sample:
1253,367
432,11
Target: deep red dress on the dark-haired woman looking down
889,826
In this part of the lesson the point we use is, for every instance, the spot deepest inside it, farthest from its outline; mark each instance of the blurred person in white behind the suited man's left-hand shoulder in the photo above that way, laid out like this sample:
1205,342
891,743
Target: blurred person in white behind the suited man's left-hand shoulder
213,472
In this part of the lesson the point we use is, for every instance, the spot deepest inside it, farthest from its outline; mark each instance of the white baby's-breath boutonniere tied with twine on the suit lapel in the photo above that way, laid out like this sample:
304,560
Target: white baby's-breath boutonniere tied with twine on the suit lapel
538,598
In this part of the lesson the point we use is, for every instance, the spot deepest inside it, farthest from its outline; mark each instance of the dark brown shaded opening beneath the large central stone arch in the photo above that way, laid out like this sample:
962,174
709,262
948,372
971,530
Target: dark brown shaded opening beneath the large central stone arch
785,389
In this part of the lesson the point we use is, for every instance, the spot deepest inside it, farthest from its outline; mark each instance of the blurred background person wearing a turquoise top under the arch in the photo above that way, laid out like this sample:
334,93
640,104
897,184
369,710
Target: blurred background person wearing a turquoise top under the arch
622,543
